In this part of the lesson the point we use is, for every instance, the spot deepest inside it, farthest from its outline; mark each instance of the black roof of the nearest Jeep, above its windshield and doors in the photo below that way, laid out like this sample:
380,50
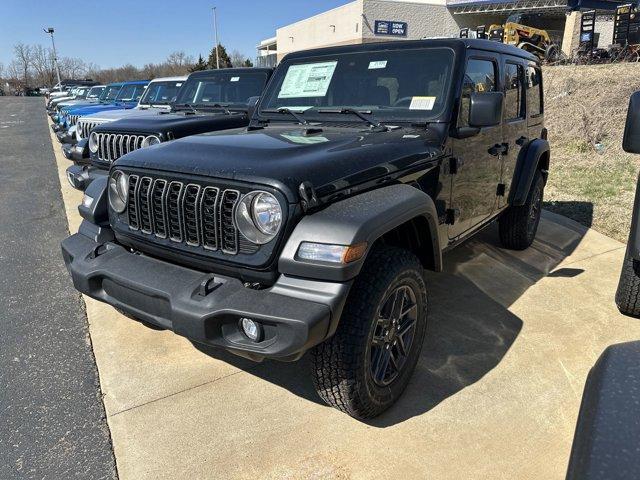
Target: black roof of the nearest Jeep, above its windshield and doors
457,44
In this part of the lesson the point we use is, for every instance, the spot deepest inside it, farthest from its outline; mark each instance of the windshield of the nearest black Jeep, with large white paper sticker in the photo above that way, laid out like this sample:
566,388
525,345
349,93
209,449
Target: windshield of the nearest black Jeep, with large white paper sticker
397,84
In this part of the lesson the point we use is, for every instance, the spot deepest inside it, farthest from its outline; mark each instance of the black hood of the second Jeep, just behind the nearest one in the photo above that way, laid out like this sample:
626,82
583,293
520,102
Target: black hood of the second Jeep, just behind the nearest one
178,123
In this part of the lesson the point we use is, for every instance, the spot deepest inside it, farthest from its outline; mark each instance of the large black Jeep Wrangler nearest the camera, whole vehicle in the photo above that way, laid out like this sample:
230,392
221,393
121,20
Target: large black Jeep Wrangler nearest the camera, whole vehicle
311,228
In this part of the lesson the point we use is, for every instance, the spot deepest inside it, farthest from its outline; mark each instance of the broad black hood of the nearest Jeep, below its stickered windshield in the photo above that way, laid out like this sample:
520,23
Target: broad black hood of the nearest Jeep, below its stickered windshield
285,156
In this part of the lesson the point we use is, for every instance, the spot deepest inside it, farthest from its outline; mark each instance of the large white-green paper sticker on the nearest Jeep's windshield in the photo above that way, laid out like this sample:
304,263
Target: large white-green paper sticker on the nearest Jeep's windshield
307,80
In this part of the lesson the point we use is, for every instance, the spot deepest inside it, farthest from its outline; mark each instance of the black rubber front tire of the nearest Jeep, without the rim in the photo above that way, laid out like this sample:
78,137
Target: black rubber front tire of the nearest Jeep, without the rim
341,365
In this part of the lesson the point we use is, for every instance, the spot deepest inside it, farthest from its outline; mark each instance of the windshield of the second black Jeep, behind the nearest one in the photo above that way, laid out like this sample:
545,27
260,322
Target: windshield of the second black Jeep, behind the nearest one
230,89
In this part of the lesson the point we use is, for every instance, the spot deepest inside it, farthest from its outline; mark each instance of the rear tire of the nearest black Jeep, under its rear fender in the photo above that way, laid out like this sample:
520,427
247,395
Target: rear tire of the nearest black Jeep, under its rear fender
517,226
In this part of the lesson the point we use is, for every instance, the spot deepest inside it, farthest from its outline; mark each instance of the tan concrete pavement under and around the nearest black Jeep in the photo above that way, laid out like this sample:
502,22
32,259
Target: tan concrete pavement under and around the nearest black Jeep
496,393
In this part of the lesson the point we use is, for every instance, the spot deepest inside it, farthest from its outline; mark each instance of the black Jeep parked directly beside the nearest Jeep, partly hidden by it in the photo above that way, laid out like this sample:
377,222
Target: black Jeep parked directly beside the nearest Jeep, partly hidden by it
208,101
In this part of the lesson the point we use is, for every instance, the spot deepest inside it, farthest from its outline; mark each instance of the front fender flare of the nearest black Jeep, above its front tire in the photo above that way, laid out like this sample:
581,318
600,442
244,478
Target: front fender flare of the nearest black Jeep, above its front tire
361,218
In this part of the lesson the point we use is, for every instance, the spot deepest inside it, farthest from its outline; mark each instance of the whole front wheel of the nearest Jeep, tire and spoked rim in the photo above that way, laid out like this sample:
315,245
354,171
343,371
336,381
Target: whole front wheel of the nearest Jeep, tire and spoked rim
364,368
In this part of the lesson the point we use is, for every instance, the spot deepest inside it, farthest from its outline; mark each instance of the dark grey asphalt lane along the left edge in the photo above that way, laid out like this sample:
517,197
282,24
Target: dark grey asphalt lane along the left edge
52,419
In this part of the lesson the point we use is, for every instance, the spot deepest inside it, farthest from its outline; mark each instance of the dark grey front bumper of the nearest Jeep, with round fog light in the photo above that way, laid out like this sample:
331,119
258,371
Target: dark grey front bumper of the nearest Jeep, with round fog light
295,314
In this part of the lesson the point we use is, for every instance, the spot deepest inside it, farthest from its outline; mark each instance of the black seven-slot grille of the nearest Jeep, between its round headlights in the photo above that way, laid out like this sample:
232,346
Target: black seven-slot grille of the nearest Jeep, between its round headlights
186,213
